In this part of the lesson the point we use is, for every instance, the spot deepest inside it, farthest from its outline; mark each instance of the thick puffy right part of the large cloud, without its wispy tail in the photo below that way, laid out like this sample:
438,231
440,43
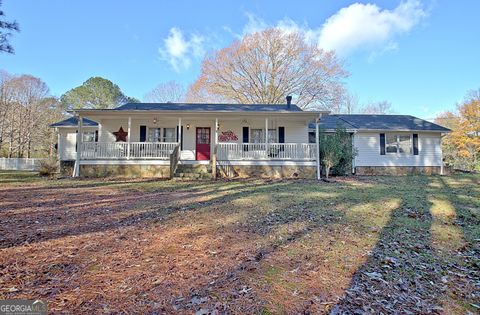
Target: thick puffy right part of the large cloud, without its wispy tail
367,27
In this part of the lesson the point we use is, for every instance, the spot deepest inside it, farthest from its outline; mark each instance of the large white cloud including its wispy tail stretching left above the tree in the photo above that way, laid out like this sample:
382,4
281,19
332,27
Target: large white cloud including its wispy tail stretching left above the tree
356,27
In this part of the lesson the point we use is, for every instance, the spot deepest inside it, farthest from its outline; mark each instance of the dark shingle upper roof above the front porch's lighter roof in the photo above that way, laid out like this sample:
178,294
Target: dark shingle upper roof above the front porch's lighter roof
199,107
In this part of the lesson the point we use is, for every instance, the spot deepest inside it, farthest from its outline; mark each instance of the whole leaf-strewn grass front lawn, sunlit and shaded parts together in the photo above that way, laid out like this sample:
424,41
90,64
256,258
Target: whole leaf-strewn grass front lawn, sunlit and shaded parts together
364,245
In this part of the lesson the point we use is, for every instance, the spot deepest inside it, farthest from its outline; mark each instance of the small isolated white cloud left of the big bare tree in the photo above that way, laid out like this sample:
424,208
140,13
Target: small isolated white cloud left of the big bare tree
179,50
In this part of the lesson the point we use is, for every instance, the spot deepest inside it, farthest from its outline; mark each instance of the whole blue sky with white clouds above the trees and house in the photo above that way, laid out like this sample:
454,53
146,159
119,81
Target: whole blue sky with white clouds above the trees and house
422,56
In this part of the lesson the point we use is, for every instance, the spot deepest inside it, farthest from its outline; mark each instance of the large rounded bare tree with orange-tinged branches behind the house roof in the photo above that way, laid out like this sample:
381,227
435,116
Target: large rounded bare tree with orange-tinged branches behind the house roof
266,66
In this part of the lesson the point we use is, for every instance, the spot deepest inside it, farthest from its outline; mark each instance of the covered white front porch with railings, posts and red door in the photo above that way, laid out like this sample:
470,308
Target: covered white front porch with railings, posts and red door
168,139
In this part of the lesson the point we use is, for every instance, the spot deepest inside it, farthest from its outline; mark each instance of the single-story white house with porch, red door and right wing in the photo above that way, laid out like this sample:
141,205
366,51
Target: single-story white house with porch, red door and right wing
230,140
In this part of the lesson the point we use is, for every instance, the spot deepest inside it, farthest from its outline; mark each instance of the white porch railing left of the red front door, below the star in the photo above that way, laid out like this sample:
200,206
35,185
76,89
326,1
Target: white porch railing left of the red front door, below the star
120,150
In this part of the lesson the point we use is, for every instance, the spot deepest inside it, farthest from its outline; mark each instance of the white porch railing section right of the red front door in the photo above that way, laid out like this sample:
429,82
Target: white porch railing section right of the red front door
263,151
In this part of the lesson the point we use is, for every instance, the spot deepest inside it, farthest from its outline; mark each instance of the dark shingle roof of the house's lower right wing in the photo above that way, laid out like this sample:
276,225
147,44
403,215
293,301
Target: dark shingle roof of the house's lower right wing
379,122
